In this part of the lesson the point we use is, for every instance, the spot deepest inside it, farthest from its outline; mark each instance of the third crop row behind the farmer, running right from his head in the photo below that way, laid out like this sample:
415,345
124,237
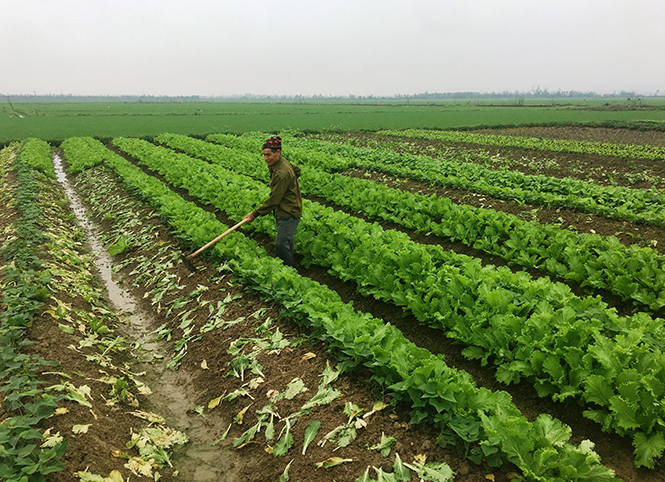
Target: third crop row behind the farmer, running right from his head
635,205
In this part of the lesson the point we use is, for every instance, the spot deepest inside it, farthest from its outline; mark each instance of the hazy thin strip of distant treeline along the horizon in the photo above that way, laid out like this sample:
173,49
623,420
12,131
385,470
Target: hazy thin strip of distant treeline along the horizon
516,95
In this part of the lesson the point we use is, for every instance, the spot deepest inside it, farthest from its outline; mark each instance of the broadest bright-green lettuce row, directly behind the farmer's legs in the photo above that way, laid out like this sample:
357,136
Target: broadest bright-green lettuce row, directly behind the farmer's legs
533,329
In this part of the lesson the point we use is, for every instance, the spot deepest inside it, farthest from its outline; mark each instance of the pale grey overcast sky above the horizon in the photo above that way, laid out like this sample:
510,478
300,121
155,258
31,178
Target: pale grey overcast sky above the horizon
335,47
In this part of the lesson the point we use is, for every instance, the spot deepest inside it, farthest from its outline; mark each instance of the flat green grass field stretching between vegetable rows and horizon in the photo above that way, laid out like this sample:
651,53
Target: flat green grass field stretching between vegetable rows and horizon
58,120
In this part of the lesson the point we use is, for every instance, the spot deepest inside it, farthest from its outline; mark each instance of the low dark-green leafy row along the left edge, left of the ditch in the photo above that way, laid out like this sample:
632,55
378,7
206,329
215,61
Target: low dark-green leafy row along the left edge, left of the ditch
24,289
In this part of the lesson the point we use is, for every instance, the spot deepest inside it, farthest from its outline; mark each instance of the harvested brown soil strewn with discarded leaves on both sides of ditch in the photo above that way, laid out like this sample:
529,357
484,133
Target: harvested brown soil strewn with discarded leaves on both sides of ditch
238,357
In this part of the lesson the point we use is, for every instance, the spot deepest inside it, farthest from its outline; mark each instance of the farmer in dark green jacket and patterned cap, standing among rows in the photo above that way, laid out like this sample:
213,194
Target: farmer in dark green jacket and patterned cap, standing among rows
285,201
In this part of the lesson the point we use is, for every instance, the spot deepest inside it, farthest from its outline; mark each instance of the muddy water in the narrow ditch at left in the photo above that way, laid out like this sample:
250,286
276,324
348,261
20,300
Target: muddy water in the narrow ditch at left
199,460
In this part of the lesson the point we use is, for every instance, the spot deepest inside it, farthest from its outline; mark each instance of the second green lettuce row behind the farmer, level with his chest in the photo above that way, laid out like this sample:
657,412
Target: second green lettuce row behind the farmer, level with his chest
633,273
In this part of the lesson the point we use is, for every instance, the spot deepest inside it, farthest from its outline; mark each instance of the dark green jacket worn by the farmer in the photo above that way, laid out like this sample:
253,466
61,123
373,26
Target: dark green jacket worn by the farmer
285,199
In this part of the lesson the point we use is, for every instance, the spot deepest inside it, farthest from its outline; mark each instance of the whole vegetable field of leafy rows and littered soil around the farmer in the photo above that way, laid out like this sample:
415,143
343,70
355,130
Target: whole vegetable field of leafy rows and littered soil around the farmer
467,306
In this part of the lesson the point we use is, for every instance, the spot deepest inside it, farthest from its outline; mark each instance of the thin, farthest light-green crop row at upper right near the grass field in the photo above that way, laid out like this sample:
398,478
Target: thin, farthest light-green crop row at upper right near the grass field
629,151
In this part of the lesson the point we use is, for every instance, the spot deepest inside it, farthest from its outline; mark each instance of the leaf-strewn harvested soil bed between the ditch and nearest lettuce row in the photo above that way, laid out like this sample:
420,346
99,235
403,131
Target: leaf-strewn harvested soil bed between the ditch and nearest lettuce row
239,356
